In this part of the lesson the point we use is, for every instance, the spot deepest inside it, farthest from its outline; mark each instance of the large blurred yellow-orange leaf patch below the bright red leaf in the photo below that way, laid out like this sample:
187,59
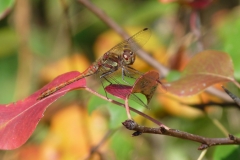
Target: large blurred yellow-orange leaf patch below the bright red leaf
72,134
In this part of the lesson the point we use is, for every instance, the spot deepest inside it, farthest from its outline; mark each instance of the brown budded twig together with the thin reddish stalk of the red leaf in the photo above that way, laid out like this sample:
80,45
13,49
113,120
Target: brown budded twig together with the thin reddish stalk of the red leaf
164,130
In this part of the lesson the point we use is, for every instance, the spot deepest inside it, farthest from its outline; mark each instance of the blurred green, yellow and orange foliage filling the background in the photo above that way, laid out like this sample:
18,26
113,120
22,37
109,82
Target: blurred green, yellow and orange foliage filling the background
53,42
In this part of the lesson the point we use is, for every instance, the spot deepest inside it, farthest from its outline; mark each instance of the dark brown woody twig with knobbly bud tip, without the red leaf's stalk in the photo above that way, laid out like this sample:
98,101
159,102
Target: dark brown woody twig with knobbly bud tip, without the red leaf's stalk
205,142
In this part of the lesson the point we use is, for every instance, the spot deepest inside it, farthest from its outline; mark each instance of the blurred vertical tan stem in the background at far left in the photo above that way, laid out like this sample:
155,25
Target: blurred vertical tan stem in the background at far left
22,18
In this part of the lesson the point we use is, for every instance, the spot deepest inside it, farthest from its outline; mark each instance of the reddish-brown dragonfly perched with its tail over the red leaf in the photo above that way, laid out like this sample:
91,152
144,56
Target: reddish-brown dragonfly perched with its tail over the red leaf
120,57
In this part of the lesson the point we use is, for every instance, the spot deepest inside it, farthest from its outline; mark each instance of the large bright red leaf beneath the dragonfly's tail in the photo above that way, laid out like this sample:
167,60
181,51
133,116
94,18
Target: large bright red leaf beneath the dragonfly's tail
18,120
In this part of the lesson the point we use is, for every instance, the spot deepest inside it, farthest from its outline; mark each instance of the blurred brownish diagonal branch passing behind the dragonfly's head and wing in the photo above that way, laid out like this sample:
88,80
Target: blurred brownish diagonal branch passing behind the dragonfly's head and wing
106,19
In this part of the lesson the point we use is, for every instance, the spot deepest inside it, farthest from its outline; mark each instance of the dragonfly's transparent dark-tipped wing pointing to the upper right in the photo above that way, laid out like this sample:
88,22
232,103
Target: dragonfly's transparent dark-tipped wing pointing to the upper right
133,43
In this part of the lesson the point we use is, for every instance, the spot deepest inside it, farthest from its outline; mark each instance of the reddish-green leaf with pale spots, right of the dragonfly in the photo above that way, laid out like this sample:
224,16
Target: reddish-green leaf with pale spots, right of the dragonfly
204,70
